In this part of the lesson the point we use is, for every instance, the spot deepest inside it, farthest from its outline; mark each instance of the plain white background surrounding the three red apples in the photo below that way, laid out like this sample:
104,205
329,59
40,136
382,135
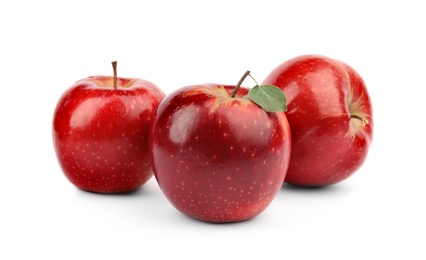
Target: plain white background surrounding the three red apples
45,46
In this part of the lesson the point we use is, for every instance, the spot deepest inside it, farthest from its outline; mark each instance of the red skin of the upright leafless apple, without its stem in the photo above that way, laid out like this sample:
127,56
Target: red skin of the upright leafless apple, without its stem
100,133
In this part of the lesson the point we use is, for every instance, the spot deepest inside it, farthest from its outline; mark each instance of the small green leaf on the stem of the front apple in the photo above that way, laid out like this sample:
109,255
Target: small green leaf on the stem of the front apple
269,98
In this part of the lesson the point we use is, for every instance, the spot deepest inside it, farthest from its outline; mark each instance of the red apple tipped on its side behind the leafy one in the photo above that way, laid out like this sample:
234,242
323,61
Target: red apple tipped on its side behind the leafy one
330,116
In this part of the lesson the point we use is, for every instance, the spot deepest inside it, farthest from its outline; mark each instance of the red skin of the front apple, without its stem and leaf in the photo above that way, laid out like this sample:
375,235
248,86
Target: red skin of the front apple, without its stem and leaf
216,158
